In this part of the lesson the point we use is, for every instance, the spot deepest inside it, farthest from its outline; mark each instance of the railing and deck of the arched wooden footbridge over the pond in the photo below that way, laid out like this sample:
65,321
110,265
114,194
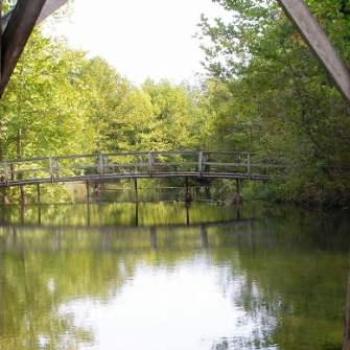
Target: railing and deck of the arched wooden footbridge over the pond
109,167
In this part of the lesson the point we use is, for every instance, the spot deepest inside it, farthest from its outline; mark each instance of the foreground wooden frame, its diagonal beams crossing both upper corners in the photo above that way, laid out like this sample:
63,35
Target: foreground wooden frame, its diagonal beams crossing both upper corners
28,13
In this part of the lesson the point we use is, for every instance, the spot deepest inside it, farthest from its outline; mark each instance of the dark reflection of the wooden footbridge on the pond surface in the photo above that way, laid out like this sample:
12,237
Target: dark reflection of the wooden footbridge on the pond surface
16,221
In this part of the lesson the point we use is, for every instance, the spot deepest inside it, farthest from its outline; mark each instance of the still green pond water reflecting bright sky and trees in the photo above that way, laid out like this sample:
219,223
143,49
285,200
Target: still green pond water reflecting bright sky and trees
165,277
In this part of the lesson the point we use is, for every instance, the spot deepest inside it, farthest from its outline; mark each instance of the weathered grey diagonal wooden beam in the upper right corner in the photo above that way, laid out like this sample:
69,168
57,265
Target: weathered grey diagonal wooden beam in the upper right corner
317,39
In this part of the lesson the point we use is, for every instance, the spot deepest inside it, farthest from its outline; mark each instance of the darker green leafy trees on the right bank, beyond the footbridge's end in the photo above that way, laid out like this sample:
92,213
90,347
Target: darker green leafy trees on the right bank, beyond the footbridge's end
272,97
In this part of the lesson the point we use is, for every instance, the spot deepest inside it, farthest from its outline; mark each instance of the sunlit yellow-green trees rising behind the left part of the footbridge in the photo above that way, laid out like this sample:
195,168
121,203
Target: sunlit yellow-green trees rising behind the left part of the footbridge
60,102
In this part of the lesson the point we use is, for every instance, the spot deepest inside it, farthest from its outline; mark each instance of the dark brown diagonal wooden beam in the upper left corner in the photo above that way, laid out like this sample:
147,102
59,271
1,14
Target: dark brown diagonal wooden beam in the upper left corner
16,35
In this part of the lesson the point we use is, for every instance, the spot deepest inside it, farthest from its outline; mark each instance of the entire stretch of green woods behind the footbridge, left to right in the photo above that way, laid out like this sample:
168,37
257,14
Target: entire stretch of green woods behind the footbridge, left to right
265,93
